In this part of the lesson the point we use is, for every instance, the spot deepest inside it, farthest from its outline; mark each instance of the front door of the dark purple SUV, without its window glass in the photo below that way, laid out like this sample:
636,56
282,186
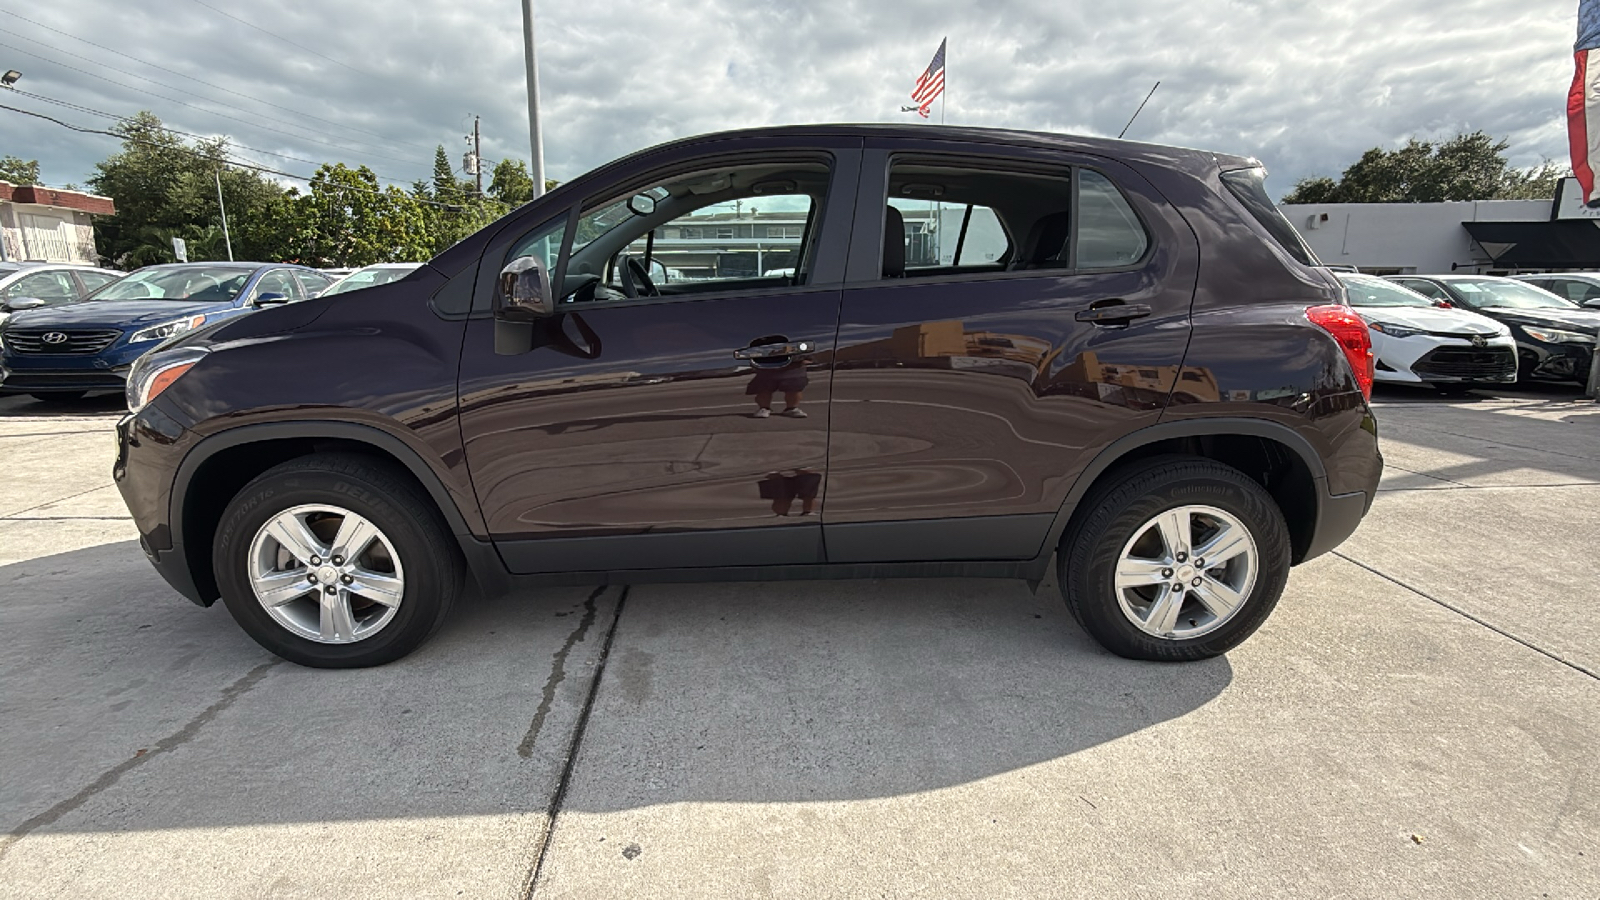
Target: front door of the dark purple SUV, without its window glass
630,436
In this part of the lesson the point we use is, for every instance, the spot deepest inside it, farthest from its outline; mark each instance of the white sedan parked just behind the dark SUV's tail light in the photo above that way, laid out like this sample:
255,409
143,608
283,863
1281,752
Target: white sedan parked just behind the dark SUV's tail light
1418,340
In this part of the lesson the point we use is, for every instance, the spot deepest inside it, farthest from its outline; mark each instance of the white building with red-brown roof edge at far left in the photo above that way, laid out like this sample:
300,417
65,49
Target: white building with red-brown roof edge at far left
47,225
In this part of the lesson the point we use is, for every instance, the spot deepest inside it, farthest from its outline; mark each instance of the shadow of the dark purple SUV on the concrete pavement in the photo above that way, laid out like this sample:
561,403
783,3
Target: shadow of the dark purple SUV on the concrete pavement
129,709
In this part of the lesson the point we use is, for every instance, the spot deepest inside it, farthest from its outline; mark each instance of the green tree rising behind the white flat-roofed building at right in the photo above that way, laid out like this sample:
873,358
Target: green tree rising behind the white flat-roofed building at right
1468,167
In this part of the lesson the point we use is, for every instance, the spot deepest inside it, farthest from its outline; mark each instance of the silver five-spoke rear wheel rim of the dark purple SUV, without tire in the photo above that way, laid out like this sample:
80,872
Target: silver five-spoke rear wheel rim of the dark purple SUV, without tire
1186,573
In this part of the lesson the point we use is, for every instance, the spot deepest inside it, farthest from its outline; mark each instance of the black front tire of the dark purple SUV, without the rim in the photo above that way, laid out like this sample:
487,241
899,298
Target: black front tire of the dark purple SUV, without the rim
367,488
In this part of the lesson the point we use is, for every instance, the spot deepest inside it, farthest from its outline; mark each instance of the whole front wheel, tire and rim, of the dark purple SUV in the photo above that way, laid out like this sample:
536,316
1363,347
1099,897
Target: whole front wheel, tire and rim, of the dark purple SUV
337,561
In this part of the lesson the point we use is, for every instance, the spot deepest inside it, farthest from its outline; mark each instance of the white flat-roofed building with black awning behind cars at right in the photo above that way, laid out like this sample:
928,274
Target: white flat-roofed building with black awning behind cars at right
1479,236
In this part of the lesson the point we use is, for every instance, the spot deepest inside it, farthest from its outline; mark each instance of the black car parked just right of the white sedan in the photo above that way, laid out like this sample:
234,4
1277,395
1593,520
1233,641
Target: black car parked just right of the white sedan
1556,339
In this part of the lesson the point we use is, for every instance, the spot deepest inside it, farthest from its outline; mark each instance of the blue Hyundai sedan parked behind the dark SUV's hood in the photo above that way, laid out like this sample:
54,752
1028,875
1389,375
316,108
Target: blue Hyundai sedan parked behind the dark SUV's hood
71,350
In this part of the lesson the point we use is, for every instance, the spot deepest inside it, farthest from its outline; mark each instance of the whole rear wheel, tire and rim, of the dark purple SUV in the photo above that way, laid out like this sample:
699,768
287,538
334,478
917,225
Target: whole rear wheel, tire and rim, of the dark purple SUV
1175,560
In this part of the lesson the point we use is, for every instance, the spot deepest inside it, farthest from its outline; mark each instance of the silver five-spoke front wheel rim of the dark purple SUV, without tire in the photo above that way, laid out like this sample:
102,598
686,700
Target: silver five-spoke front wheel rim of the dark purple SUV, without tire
326,574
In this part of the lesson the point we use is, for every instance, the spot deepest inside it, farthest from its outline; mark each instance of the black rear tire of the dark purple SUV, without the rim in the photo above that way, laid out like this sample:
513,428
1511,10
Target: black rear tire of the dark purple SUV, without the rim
1129,499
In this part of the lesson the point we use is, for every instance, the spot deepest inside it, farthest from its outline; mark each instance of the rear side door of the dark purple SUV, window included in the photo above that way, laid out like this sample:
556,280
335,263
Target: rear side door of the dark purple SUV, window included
1007,315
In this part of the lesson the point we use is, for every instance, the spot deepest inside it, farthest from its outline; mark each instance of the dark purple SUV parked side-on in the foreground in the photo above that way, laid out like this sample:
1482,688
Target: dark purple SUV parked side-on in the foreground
791,353
